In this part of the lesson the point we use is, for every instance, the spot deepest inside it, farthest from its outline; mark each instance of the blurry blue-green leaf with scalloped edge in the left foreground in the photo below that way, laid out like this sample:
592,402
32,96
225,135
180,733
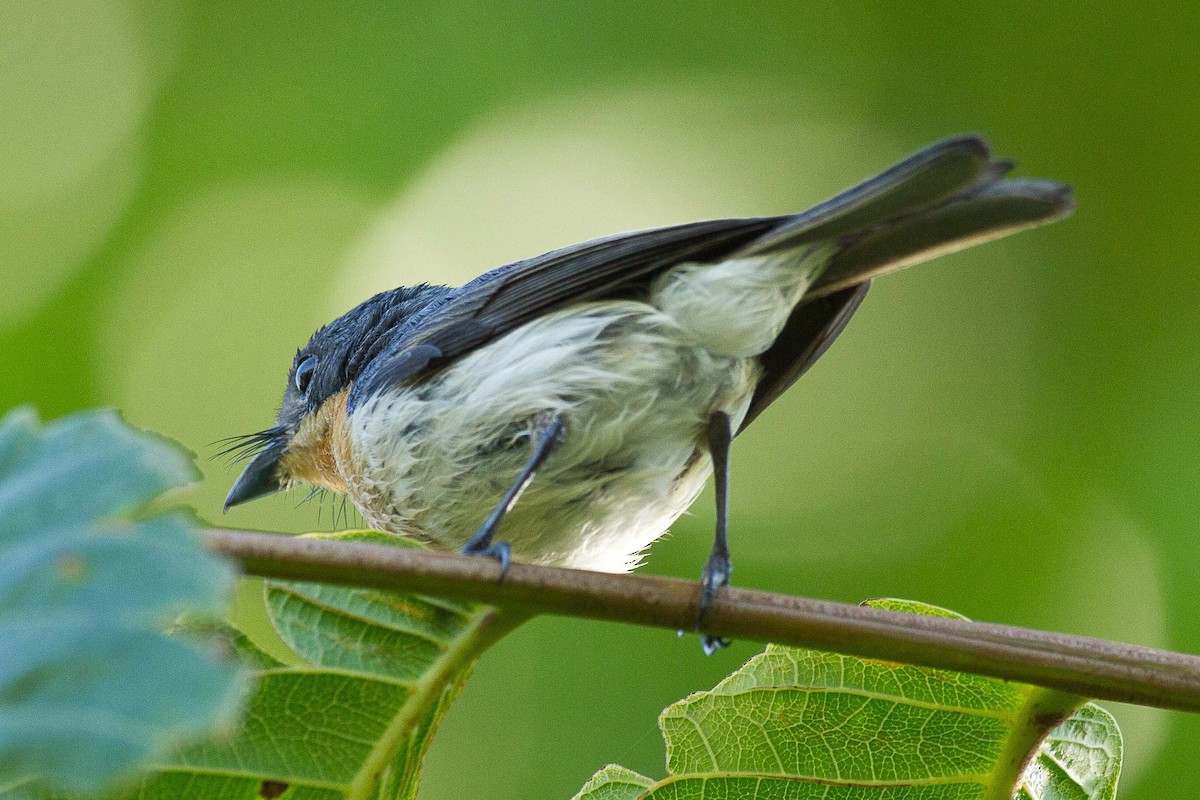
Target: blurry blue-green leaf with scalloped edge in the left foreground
91,684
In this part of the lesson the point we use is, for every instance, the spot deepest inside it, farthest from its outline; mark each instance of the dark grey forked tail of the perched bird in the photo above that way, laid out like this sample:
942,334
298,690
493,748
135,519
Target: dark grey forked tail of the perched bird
951,196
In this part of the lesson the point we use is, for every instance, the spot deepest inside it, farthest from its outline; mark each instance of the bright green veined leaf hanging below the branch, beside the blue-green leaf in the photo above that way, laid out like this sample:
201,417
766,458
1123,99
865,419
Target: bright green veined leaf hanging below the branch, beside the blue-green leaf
373,676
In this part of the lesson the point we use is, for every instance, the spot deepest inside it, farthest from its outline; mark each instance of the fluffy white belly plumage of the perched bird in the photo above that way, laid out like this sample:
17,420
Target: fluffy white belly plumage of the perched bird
637,386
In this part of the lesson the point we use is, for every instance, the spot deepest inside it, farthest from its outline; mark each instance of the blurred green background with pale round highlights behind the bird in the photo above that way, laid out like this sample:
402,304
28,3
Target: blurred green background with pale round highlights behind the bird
189,189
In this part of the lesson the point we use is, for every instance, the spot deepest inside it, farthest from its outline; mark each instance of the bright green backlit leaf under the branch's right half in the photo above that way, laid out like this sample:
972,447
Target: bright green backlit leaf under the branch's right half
795,725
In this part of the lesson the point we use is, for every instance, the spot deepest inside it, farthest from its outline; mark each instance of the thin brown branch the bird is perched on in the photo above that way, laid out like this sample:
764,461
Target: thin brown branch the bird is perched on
1084,666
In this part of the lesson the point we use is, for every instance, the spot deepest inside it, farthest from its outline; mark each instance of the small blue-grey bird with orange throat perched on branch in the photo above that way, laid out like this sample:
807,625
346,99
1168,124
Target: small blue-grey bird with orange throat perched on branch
568,408
